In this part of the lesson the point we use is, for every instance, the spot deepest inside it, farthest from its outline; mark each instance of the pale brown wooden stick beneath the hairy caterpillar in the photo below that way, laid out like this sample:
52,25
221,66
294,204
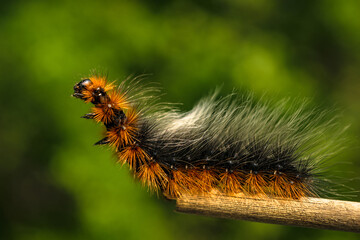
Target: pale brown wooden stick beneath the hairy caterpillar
309,212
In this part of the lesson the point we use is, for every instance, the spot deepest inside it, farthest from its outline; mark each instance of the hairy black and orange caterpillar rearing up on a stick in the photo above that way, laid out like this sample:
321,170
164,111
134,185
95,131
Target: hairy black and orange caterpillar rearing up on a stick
232,145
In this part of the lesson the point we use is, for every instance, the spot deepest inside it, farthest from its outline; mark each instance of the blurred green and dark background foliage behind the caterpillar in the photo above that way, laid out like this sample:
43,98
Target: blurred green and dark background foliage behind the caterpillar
56,185
